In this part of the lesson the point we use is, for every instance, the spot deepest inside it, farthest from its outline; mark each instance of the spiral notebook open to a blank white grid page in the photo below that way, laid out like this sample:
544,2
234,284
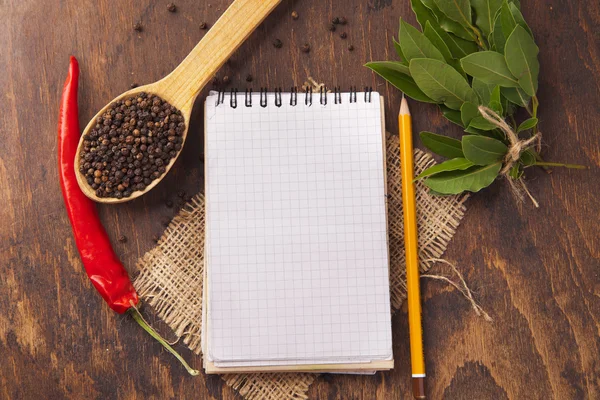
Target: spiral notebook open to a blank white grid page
296,253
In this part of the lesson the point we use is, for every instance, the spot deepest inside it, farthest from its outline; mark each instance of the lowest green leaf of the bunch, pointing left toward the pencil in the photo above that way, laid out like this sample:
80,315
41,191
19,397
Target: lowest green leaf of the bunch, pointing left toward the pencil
472,179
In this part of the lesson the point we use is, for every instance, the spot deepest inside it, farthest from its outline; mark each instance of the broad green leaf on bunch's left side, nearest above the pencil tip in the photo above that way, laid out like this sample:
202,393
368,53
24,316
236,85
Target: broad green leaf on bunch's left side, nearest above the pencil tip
442,83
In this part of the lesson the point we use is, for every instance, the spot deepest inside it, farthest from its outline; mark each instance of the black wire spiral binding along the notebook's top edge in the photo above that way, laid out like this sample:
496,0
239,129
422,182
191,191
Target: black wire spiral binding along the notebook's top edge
308,96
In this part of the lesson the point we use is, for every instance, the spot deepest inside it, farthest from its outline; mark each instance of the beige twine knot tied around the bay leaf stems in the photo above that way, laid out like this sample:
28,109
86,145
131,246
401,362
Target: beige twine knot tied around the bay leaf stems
517,147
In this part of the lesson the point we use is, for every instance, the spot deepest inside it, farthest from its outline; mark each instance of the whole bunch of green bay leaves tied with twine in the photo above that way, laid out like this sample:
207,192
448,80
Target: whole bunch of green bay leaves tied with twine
468,54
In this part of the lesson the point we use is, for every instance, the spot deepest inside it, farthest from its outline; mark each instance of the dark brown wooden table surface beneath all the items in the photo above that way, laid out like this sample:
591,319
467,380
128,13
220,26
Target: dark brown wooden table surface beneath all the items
536,272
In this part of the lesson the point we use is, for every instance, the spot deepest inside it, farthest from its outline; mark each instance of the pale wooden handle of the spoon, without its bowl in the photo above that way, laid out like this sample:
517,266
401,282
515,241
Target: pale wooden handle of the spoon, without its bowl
241,18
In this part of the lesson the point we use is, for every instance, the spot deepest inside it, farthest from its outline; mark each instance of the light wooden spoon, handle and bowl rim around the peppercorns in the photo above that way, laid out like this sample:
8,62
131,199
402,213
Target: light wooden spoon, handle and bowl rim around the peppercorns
181,86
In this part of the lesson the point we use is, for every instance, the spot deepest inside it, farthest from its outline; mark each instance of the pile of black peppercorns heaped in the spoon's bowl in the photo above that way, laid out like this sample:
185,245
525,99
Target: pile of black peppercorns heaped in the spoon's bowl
131,145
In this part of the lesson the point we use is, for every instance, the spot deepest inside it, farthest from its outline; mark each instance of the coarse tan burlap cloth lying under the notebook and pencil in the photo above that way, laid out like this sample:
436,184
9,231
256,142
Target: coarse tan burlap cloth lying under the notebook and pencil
170,278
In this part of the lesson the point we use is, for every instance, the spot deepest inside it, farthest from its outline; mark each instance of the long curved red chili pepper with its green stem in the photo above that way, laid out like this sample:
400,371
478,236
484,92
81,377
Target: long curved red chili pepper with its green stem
102,265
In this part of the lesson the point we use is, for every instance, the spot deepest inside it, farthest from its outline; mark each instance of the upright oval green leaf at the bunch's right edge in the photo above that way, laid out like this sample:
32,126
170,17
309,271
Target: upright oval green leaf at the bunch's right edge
521,56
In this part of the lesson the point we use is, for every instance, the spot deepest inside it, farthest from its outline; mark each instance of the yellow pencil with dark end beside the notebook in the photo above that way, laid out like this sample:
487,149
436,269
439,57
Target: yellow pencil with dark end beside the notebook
411,246
